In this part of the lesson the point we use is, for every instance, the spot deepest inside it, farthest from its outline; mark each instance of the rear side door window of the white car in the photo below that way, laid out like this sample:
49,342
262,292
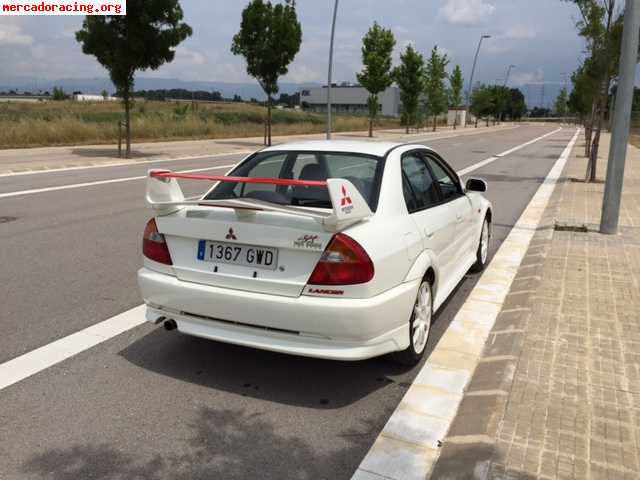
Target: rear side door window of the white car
419,188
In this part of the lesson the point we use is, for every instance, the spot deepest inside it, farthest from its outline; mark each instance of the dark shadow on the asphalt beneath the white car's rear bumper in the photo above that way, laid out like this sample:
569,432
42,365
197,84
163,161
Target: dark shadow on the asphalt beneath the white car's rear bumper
285,379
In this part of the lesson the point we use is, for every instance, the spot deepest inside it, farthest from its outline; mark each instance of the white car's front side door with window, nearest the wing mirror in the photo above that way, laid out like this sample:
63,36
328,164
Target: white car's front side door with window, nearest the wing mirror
452,195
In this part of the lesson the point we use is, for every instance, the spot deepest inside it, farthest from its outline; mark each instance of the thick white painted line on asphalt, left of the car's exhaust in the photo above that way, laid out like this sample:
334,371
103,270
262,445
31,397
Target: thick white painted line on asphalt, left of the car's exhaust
44,357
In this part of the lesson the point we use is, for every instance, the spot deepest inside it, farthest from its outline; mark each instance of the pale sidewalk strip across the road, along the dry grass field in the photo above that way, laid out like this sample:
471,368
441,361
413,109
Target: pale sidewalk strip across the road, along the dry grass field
52,158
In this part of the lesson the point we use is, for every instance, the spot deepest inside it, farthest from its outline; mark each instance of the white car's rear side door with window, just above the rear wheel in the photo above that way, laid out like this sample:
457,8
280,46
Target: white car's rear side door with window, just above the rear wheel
433,219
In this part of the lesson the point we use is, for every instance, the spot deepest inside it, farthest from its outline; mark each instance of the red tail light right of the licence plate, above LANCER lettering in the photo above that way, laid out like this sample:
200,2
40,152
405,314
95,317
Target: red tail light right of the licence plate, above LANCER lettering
344,262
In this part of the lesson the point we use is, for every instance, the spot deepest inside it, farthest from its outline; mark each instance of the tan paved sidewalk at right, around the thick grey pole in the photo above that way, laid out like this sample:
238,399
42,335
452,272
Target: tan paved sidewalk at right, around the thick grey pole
557,391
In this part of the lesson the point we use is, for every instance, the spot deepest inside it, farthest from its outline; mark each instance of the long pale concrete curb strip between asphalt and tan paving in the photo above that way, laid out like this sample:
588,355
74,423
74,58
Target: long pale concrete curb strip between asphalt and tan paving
407,447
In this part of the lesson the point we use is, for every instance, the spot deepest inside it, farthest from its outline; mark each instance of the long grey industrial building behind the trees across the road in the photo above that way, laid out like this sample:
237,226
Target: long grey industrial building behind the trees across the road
352,99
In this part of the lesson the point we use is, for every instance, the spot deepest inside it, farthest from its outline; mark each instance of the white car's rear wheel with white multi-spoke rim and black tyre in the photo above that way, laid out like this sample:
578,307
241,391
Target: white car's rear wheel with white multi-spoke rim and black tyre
419,327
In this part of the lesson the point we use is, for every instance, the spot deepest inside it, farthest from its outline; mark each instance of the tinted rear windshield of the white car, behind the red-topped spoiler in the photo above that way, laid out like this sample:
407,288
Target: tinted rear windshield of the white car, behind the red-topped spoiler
363,171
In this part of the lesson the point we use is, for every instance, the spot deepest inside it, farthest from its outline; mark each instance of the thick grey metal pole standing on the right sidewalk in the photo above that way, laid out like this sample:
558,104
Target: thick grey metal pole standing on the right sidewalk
621,120
